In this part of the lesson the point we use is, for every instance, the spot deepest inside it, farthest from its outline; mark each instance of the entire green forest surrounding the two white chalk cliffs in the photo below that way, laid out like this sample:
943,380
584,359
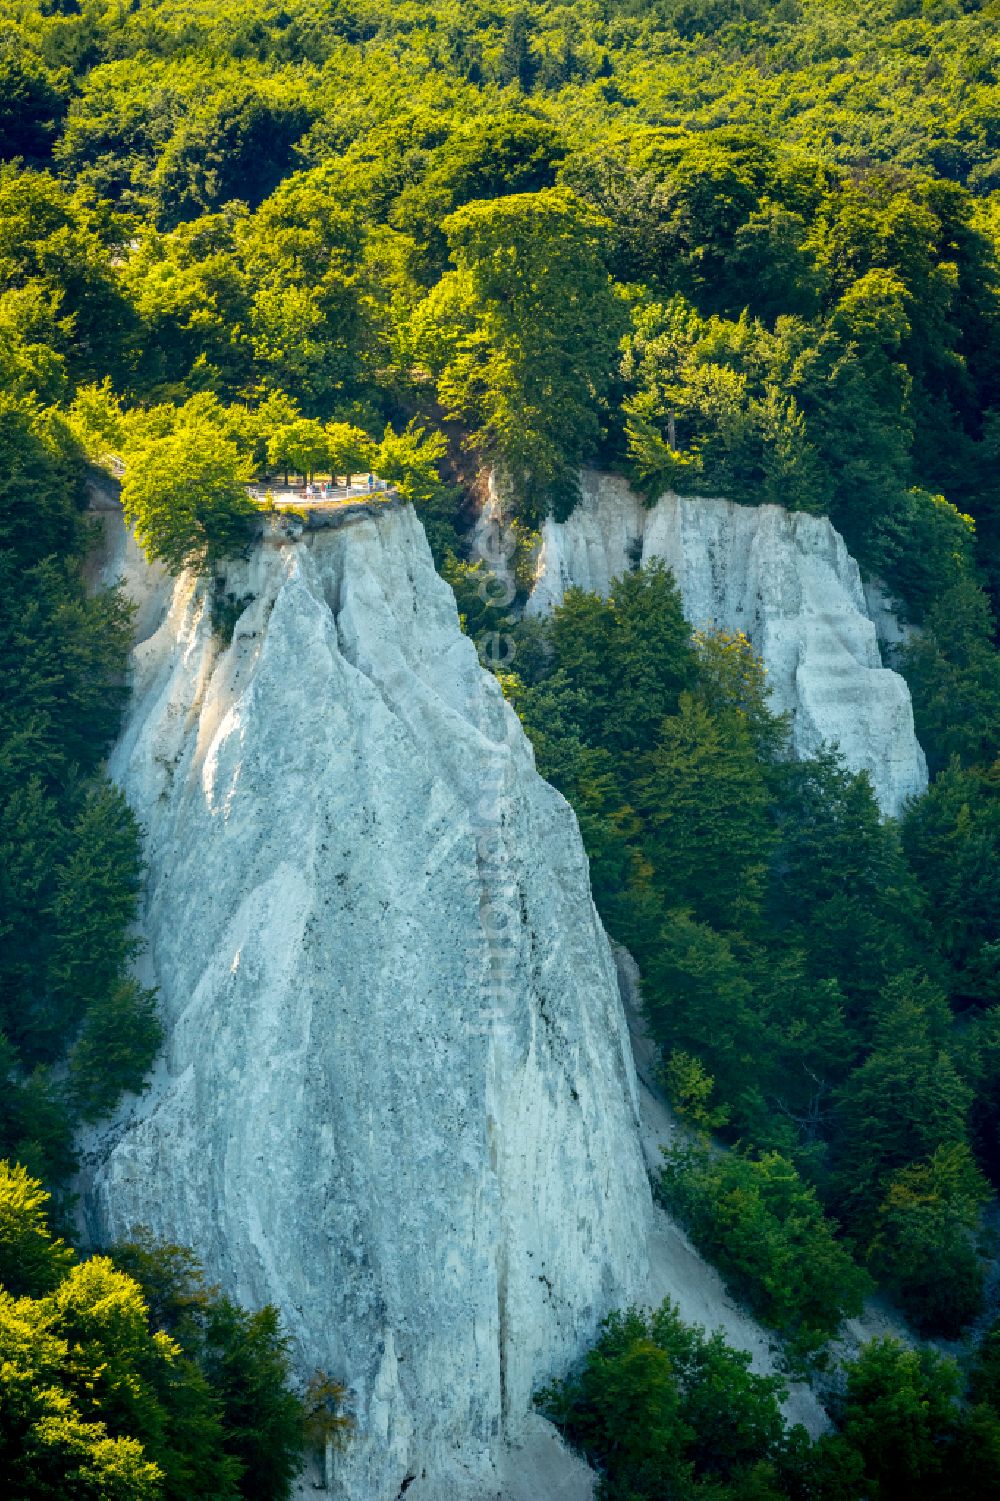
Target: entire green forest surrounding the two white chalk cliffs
724,247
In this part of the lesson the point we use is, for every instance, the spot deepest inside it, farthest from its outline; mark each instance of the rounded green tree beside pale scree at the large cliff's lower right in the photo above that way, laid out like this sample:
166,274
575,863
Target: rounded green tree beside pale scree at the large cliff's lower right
765,1229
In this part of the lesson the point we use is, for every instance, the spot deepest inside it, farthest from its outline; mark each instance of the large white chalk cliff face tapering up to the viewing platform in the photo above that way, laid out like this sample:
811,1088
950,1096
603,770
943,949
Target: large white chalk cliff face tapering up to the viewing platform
397,1096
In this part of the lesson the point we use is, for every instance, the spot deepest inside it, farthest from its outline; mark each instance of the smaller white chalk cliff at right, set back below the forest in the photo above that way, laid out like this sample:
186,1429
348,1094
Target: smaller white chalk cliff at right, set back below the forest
782,577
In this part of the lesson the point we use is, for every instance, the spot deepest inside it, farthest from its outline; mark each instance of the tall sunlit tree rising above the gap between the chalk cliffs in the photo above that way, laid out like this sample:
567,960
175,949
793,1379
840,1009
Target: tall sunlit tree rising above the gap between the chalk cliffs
522,337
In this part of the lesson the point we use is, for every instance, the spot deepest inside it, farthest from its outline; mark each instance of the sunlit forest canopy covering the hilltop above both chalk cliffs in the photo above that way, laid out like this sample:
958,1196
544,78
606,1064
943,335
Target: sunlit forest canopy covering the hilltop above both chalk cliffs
813,283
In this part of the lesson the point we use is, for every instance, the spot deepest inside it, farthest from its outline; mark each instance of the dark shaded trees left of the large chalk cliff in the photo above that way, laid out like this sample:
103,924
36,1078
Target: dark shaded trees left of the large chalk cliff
70,865
